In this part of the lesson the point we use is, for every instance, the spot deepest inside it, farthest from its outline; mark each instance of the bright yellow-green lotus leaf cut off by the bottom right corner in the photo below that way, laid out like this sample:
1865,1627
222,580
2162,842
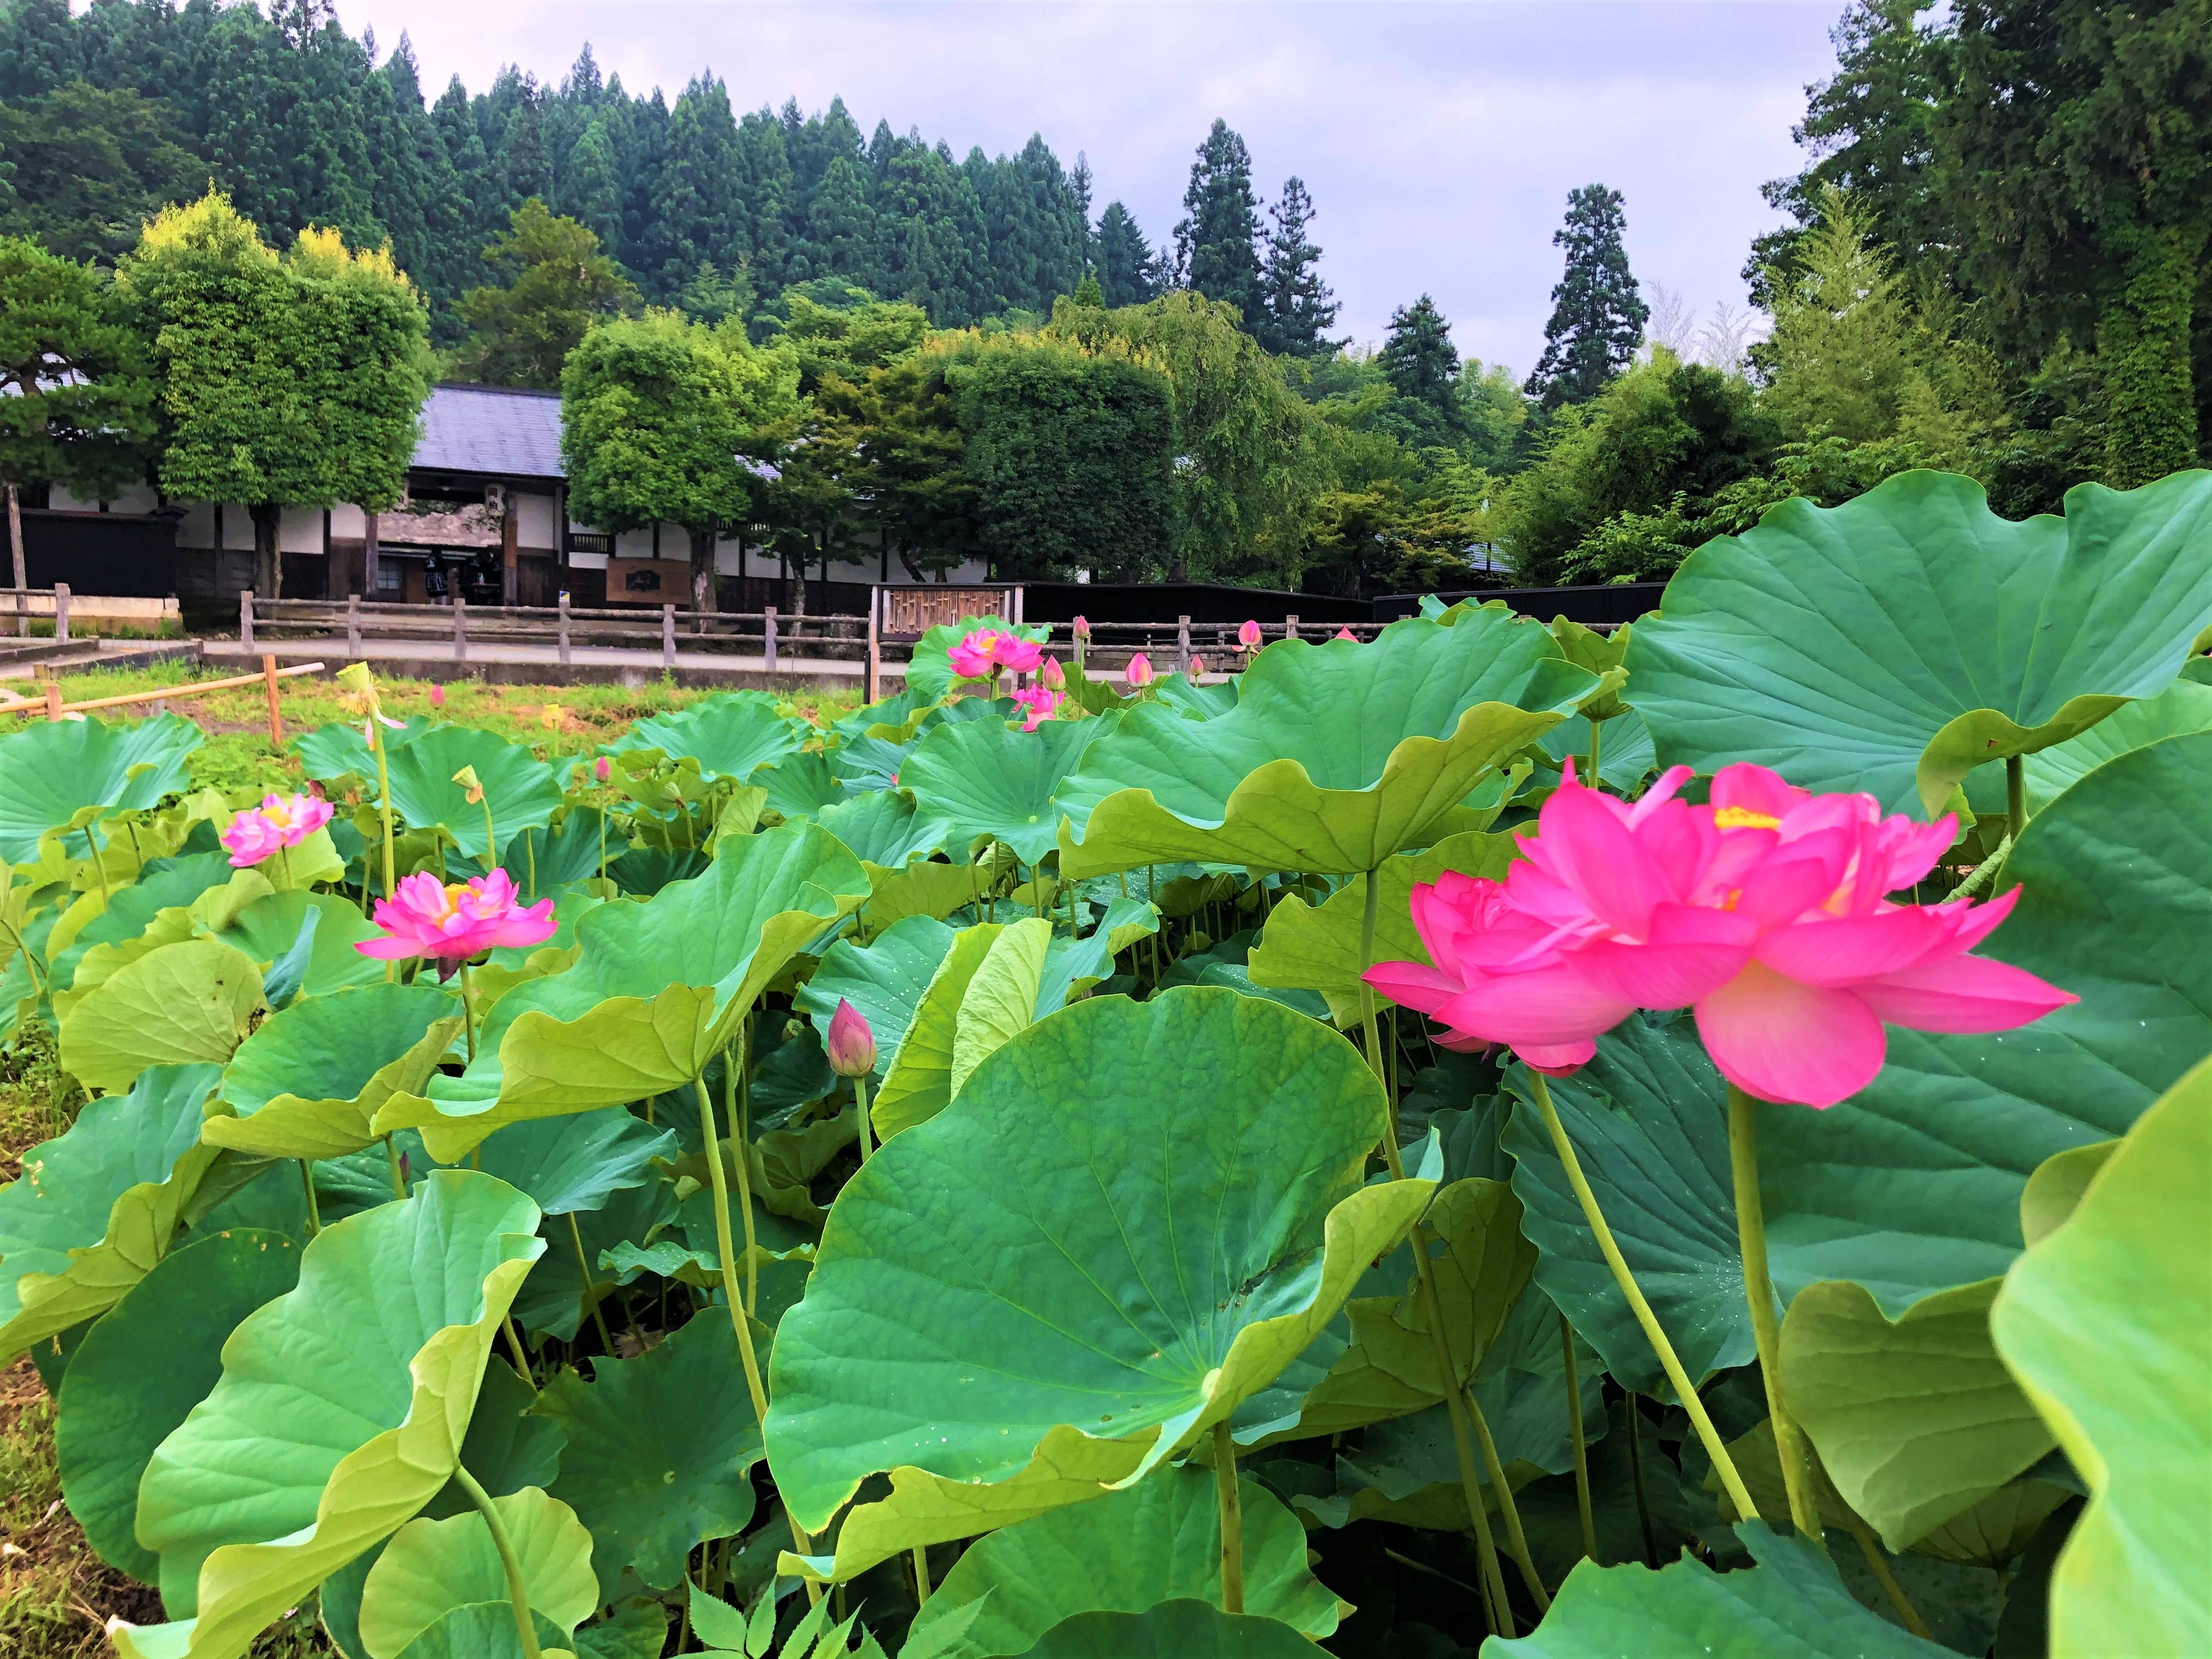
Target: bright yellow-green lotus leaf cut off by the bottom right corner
2109,1328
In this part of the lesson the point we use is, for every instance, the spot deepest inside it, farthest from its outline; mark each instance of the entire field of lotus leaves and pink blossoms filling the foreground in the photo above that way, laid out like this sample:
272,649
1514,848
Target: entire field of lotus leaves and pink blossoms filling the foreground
1501,1138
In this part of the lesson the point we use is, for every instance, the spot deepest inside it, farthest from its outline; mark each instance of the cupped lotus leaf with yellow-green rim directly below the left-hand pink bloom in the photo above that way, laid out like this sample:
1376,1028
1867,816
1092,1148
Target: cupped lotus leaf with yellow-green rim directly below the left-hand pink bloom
309,1081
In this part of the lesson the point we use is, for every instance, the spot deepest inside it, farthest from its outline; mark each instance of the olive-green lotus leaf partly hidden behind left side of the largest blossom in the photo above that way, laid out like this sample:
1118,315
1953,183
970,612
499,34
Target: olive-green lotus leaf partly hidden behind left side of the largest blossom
1317,948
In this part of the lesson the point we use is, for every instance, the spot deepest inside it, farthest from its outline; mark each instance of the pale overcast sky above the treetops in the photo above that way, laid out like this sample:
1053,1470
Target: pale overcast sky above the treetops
1439,140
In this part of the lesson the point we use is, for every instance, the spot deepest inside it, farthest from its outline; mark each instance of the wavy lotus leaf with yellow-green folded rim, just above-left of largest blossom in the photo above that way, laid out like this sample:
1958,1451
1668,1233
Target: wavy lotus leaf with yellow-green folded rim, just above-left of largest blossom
1335,758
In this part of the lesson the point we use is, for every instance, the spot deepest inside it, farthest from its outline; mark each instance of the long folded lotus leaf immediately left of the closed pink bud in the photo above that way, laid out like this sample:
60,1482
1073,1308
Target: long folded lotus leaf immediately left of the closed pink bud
656,992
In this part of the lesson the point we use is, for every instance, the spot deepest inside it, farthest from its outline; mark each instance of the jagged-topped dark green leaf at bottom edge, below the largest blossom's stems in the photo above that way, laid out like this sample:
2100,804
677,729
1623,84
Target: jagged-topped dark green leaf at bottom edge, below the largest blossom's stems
1788,1607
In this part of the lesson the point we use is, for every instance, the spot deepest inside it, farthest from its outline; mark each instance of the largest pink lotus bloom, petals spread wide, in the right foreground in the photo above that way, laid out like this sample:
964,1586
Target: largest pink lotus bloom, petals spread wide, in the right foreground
1766,912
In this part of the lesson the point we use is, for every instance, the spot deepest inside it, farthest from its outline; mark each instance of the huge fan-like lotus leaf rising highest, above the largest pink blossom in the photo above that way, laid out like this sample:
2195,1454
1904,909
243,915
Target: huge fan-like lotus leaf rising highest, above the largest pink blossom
1901,640
